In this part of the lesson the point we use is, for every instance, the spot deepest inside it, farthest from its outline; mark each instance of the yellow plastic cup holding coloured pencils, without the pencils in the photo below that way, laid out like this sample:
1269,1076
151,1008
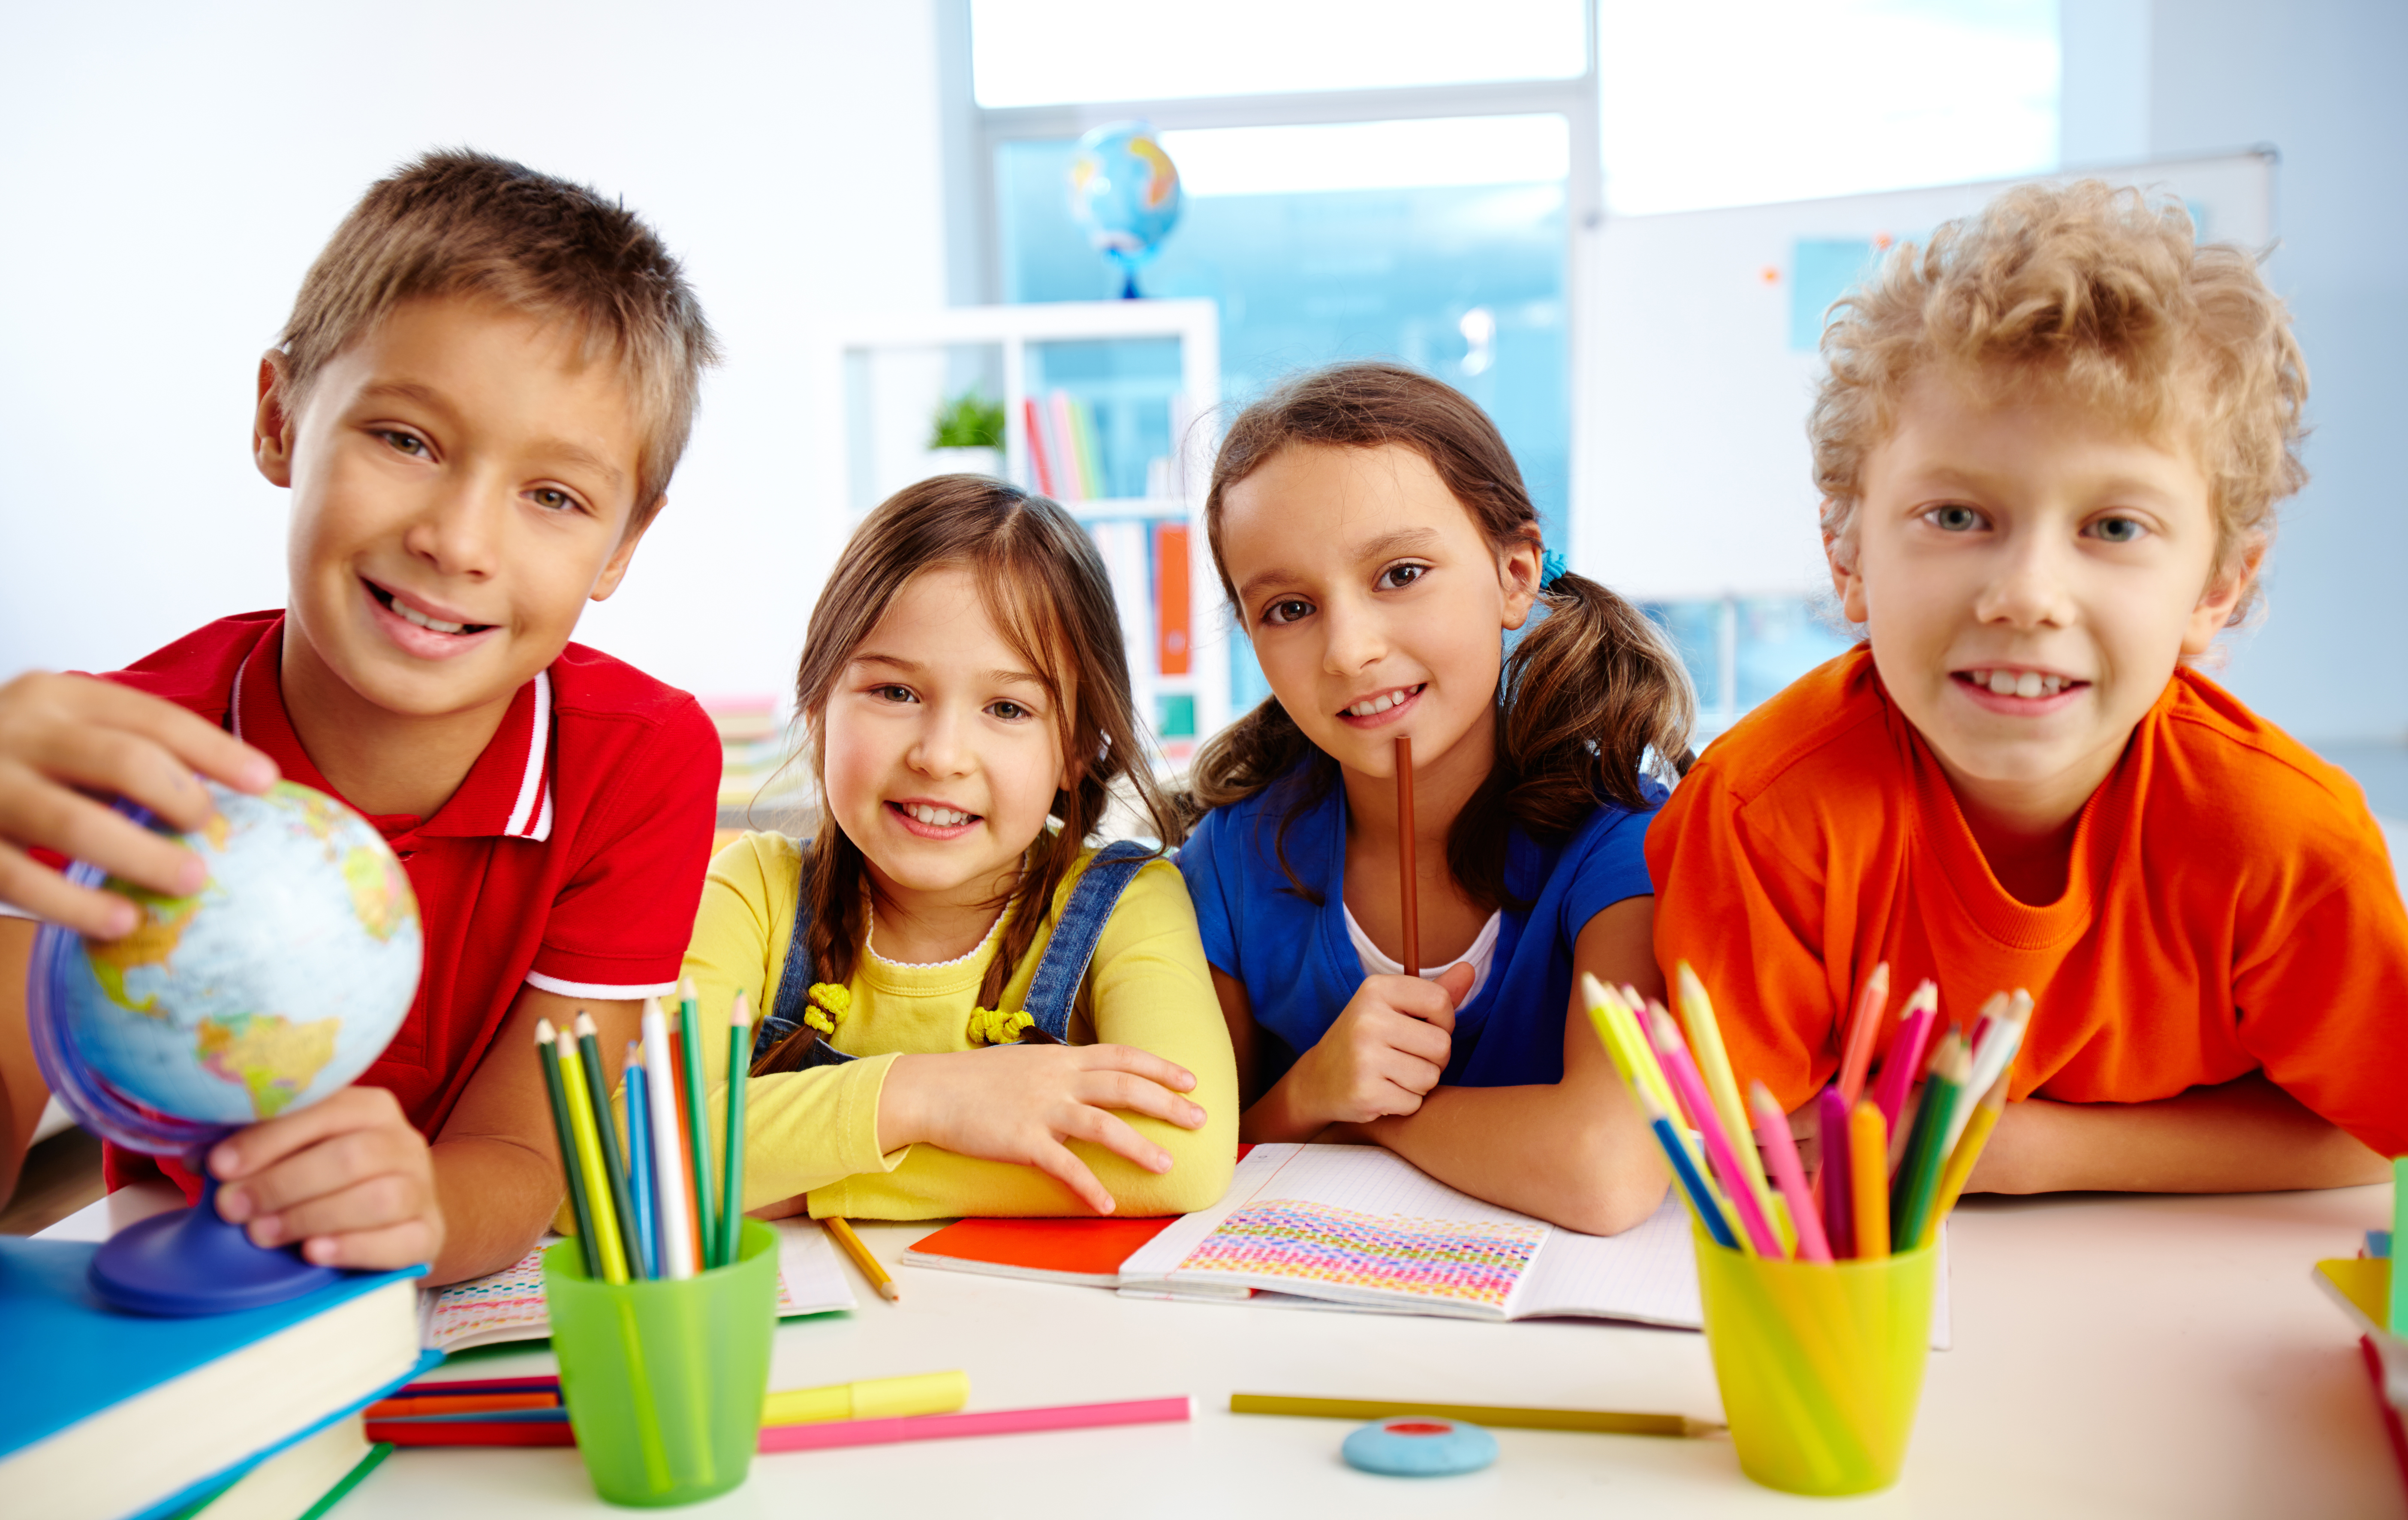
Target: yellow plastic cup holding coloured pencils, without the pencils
1819,1365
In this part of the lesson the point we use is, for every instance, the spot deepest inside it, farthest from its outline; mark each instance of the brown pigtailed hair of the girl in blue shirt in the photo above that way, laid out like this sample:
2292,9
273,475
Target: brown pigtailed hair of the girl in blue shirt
1586,695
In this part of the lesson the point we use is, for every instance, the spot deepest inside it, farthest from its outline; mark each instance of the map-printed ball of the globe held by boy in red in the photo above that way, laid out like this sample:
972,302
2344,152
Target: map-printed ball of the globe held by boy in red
276,984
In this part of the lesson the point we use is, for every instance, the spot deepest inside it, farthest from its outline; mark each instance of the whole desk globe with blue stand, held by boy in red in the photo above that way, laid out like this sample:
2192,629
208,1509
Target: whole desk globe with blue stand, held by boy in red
271,989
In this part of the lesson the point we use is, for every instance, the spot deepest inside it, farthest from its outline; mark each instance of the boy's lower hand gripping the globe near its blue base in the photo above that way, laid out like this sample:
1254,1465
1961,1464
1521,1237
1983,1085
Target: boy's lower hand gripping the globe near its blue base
350,1179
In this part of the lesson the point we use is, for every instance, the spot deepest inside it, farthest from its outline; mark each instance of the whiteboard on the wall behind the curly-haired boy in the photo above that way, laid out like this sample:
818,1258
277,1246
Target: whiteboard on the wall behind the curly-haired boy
1694,473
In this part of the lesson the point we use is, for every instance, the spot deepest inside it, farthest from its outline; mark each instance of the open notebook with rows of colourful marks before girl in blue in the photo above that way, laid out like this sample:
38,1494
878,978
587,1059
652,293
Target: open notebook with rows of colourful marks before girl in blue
1359,1227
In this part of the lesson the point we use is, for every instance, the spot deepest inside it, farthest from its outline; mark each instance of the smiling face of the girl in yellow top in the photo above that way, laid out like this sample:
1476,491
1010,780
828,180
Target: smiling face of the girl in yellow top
940,748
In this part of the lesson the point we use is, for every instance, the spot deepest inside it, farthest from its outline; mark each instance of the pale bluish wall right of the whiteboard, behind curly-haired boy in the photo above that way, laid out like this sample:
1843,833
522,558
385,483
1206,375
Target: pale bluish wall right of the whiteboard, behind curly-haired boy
2327,83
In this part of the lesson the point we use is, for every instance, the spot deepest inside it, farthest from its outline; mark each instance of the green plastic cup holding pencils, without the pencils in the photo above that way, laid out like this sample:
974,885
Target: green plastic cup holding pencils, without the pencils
666,1379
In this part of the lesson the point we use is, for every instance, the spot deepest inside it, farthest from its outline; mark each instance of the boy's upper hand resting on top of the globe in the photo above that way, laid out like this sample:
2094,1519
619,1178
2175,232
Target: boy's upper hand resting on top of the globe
66,741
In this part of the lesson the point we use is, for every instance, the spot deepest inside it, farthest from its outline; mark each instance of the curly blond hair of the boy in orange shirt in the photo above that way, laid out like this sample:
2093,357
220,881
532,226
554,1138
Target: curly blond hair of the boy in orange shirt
2091,293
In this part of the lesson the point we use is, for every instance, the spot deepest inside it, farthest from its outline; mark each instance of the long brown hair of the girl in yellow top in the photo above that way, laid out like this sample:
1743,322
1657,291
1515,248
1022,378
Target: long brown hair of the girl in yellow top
1046,589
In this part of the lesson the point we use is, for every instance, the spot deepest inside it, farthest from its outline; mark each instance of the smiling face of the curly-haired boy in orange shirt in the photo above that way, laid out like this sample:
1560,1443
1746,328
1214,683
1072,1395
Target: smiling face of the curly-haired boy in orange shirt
2031,575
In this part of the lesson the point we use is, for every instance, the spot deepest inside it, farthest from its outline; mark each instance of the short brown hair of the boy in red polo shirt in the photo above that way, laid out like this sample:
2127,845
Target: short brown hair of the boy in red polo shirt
459,223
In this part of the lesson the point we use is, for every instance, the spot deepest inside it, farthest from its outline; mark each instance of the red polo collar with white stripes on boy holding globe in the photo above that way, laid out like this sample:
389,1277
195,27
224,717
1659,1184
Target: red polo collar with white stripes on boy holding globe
507,794
